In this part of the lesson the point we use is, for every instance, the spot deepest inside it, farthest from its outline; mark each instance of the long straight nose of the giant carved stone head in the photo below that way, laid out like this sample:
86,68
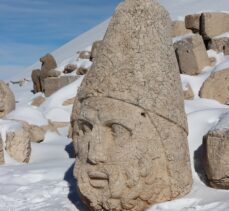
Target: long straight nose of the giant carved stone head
97,146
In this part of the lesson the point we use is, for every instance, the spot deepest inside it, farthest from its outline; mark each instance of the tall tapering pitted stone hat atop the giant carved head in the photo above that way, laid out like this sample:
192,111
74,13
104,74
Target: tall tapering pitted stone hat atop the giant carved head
136,62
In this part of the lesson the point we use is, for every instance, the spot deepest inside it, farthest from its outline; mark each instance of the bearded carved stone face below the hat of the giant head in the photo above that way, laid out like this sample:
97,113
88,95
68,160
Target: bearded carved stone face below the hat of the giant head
117,149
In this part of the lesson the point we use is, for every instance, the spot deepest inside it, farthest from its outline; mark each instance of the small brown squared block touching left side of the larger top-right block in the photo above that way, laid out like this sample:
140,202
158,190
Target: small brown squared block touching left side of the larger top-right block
193,22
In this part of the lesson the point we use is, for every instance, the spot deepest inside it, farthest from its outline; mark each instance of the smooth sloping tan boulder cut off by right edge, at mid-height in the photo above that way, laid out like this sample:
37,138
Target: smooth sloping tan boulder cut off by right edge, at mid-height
217,87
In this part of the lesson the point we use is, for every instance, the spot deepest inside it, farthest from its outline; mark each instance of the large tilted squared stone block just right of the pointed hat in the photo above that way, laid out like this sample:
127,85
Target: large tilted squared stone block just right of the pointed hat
191,55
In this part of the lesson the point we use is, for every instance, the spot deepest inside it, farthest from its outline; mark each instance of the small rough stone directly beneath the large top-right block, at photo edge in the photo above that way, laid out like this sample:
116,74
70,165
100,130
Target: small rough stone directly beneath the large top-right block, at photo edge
219,45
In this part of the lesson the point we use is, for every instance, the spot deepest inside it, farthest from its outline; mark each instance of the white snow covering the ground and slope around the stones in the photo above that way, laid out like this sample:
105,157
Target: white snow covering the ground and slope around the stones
47,183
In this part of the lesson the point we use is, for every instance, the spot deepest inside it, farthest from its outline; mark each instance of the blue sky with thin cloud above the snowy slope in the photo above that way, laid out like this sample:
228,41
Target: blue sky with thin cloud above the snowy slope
32,28
